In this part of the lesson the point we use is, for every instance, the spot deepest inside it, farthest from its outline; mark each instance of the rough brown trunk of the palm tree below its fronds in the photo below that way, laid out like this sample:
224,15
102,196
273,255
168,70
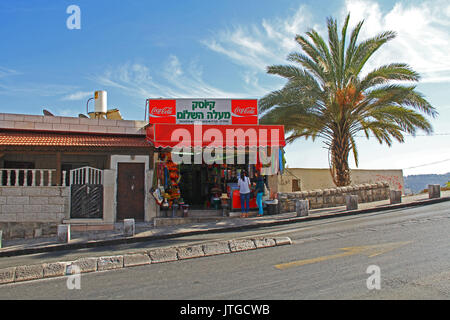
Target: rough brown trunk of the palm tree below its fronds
340,171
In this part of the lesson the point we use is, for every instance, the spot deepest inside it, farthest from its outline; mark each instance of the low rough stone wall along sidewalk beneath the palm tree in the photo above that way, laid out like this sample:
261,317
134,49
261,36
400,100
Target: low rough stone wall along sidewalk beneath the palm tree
335,197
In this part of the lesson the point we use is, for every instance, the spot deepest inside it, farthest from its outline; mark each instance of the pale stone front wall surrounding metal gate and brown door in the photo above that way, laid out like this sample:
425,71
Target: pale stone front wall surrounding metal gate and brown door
20,206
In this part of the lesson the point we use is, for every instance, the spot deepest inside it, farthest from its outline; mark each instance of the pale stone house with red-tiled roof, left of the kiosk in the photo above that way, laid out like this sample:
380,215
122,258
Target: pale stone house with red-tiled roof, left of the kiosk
90,173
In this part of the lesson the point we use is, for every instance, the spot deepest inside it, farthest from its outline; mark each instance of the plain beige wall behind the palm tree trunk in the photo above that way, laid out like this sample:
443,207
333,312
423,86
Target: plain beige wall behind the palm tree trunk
311,179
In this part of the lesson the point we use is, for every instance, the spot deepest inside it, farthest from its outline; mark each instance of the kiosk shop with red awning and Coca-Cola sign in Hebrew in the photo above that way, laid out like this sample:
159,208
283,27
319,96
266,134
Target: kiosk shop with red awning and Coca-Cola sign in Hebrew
201,147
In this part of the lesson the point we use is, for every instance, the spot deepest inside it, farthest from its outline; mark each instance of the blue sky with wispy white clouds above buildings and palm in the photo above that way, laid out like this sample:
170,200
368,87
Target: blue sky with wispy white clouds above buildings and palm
140,49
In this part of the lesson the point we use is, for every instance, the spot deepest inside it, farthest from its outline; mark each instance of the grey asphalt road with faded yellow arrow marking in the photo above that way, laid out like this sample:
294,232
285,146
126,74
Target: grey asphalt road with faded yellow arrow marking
327,260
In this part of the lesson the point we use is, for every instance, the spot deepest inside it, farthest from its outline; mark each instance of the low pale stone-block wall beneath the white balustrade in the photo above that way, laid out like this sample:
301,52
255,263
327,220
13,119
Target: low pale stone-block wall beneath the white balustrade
27,212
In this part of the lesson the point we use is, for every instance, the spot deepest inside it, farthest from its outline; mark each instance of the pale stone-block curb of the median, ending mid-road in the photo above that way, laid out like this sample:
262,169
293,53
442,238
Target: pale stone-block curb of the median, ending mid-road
157,255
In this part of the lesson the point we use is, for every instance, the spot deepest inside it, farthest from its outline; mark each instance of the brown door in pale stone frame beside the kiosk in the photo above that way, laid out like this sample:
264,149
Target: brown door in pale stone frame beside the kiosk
130,191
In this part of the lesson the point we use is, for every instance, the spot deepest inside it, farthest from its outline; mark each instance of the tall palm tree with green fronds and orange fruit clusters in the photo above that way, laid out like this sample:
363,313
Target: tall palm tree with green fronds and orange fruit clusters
328,97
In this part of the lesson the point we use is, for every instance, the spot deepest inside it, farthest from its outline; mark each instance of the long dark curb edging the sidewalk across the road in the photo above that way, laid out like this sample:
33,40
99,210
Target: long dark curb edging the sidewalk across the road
255,225
